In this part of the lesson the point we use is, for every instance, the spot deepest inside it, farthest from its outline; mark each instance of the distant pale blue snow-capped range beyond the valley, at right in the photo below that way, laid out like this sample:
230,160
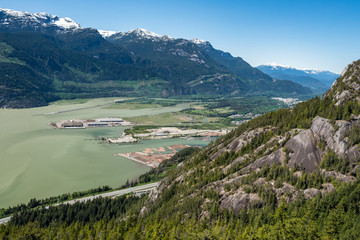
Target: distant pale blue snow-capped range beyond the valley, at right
317,80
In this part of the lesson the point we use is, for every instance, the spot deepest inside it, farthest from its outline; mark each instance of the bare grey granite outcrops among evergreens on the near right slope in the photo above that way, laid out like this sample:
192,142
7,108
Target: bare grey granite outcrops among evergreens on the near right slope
305,150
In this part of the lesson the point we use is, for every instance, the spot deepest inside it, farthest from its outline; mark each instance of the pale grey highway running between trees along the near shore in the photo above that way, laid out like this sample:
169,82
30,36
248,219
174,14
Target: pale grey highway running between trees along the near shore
112,194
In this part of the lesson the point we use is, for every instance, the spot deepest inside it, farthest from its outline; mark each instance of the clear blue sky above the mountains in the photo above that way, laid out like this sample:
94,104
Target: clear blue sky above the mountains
312,34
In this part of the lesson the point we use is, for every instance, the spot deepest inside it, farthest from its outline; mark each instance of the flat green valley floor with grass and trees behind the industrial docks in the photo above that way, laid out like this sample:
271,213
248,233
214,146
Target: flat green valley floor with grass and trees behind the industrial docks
201,114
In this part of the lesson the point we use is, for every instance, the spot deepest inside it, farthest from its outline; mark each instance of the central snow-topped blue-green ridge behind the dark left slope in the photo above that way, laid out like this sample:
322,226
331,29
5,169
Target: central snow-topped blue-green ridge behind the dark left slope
207,68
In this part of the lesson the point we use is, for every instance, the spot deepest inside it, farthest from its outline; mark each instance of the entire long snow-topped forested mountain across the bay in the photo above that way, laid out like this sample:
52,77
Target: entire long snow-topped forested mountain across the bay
44,58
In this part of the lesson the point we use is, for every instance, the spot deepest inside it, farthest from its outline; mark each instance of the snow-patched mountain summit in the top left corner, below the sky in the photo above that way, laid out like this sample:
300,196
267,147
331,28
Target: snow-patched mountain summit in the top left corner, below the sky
10,17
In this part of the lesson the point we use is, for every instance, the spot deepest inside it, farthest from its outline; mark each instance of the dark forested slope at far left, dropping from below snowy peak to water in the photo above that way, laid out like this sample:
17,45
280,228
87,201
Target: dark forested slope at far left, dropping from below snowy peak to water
35,69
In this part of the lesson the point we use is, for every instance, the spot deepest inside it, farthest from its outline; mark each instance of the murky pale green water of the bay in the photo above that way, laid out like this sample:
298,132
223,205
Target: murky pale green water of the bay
39,161
